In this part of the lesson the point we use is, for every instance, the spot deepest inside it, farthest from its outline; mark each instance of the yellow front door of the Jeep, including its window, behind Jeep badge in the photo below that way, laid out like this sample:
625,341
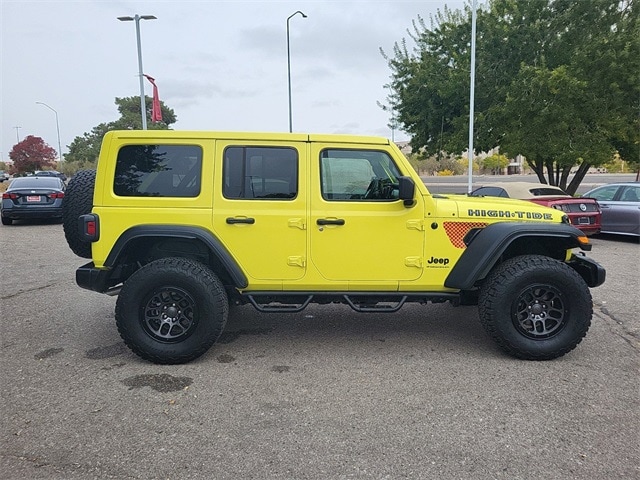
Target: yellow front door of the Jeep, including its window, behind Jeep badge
360,231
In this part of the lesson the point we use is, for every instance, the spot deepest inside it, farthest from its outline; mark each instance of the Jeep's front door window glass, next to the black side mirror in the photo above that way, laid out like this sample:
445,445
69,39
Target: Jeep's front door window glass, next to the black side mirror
358,175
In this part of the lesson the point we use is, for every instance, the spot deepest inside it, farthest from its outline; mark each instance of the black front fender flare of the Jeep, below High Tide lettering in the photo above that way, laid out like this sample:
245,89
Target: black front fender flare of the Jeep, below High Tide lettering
486,246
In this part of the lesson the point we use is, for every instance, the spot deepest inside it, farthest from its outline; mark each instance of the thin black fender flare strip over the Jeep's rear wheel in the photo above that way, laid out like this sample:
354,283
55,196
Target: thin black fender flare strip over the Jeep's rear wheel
216,247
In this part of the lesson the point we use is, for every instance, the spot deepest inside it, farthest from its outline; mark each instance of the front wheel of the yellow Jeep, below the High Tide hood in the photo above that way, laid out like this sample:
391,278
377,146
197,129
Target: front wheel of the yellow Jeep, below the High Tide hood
535,307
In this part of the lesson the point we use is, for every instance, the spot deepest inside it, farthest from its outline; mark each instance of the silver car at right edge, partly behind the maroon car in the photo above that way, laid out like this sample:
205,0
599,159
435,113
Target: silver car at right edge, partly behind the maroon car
620,206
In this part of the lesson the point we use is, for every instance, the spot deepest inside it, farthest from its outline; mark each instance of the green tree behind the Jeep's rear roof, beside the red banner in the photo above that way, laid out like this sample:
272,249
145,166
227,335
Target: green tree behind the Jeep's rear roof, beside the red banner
86,148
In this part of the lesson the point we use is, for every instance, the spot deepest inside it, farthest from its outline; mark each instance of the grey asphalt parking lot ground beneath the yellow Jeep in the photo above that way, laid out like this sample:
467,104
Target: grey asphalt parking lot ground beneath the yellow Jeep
326,393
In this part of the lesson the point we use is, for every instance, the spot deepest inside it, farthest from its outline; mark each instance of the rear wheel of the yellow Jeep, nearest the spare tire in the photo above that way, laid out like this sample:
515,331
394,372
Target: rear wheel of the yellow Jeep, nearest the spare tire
171,311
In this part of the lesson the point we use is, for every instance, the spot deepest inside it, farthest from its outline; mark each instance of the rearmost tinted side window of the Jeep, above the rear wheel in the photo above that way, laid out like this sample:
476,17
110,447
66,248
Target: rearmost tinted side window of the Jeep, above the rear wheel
158,171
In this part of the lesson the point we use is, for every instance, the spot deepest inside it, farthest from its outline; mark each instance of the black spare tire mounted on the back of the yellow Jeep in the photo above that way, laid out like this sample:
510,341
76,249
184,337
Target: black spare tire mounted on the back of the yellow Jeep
78,200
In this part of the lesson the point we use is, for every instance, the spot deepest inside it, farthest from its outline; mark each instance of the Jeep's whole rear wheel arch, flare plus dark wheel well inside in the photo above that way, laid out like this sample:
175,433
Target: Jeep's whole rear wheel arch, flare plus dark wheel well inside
159,241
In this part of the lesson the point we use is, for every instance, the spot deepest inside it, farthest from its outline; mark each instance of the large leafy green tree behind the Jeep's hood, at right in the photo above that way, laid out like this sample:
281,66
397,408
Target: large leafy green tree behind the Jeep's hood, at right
557,81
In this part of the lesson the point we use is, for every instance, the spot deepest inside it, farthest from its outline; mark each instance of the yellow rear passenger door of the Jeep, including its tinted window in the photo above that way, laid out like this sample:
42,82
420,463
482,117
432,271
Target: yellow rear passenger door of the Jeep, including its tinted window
259,208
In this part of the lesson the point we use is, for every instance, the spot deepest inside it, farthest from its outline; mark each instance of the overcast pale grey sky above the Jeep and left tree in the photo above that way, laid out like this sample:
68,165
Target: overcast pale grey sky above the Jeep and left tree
221,65
